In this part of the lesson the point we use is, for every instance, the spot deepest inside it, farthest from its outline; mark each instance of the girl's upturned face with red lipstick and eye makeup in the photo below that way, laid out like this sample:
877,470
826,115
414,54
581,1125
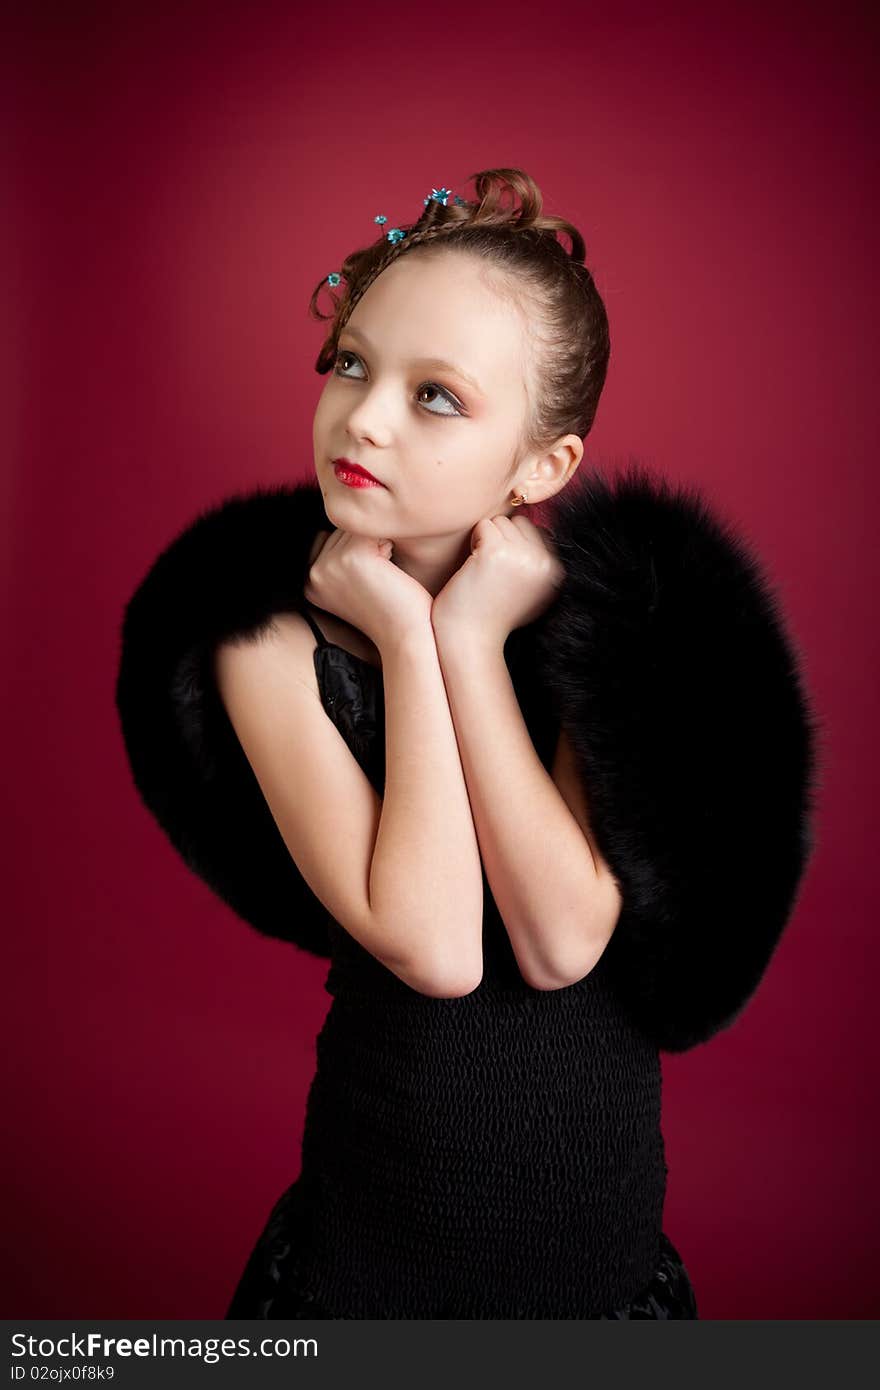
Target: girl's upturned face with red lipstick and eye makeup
441,439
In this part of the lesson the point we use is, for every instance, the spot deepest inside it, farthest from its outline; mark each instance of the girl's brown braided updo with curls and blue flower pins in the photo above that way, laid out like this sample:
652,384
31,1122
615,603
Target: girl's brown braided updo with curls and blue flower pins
568,318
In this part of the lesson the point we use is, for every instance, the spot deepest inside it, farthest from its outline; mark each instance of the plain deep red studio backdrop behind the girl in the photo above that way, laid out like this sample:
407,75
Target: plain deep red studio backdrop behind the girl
180,180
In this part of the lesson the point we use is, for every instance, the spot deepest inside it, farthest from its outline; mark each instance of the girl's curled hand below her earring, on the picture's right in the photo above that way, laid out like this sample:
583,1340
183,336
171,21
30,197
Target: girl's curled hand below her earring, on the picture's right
508,580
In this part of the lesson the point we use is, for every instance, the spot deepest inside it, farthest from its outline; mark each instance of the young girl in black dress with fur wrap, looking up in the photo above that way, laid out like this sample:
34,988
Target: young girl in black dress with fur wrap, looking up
540,794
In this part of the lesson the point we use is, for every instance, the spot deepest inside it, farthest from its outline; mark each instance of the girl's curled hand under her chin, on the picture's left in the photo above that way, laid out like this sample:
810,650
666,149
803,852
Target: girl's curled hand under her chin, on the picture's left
355,578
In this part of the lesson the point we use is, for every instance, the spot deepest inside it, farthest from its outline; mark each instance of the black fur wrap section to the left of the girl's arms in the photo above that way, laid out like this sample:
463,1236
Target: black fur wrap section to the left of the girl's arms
225,576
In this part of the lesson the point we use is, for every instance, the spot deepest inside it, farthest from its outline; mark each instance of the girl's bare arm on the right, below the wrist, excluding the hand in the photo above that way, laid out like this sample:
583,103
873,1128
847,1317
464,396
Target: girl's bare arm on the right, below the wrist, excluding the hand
557,896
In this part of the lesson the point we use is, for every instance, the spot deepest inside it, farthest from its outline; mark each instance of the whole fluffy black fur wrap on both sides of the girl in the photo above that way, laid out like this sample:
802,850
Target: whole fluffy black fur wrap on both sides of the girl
664,655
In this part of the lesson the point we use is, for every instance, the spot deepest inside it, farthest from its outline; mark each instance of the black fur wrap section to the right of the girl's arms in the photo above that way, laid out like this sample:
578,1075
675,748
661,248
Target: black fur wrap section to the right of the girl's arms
667,660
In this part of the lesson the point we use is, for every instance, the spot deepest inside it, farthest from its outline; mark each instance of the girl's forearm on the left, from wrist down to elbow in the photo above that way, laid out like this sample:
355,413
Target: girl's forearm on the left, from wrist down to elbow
426,879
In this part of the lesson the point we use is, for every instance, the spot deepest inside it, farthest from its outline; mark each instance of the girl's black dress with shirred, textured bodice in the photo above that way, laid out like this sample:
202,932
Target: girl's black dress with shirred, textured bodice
494,1156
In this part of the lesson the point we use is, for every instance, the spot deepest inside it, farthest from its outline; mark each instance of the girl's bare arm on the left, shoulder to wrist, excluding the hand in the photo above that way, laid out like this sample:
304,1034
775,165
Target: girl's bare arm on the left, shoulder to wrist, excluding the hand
402,875
